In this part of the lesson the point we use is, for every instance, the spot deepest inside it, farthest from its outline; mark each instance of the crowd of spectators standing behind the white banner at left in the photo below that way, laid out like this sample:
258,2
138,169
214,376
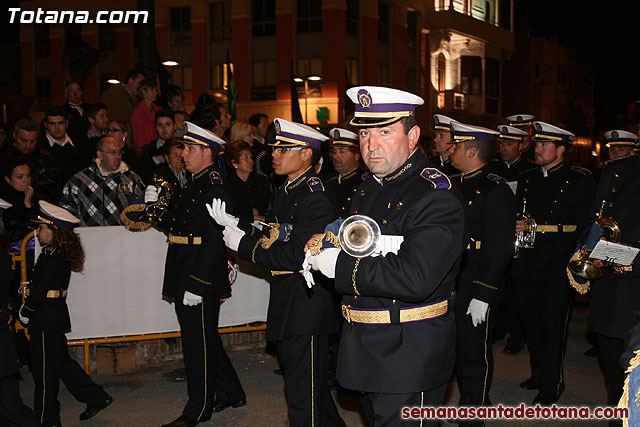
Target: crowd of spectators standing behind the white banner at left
94,157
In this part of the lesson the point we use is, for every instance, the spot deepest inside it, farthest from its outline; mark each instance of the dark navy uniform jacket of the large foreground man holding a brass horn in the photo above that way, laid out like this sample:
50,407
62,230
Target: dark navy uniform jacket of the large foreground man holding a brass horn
415,202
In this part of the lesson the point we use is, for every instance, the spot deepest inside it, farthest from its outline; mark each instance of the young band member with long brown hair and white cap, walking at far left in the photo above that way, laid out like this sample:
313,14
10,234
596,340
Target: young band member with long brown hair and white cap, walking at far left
46,314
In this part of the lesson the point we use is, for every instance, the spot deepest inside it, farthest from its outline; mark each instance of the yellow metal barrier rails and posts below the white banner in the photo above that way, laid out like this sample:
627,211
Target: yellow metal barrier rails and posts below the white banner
85,343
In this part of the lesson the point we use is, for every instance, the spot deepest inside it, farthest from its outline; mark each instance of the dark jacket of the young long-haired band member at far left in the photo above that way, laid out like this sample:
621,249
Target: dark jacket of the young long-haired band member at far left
51,273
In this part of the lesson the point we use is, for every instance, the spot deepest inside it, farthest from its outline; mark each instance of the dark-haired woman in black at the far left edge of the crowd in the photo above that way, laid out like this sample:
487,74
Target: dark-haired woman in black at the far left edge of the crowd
16,189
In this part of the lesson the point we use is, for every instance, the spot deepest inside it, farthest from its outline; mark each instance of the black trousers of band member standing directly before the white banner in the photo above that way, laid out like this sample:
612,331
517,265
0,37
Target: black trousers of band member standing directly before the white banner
210,374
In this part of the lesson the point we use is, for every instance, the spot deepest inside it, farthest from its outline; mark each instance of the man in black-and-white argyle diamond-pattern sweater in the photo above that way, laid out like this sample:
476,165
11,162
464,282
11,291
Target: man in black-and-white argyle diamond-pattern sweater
99,193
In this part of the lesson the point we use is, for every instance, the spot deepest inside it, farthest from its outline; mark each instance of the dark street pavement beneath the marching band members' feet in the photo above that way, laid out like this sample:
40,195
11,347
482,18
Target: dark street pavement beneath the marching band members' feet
154,395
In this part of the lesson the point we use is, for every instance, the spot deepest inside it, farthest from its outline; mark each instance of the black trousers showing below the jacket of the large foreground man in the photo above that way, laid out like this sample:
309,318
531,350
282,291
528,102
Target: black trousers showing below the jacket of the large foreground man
385,410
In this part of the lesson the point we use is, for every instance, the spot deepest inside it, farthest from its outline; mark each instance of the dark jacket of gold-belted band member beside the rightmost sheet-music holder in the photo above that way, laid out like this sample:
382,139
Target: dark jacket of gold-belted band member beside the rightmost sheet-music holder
563,197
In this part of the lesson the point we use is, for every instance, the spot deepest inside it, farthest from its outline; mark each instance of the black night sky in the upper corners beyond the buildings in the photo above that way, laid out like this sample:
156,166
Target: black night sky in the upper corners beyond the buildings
603,34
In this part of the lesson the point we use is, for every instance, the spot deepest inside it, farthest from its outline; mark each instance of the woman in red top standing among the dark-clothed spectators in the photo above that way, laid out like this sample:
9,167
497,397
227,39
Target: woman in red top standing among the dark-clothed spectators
143,117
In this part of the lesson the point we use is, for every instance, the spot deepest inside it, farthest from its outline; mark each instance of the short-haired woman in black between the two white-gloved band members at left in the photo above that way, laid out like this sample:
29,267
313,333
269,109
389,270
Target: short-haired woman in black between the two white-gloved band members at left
250,192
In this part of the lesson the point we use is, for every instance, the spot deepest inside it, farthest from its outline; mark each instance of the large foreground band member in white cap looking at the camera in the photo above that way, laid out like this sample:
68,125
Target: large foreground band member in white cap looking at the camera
398,342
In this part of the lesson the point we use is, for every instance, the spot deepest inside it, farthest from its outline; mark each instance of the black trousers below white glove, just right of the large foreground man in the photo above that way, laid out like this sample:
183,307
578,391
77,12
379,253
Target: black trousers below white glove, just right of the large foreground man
474,359
